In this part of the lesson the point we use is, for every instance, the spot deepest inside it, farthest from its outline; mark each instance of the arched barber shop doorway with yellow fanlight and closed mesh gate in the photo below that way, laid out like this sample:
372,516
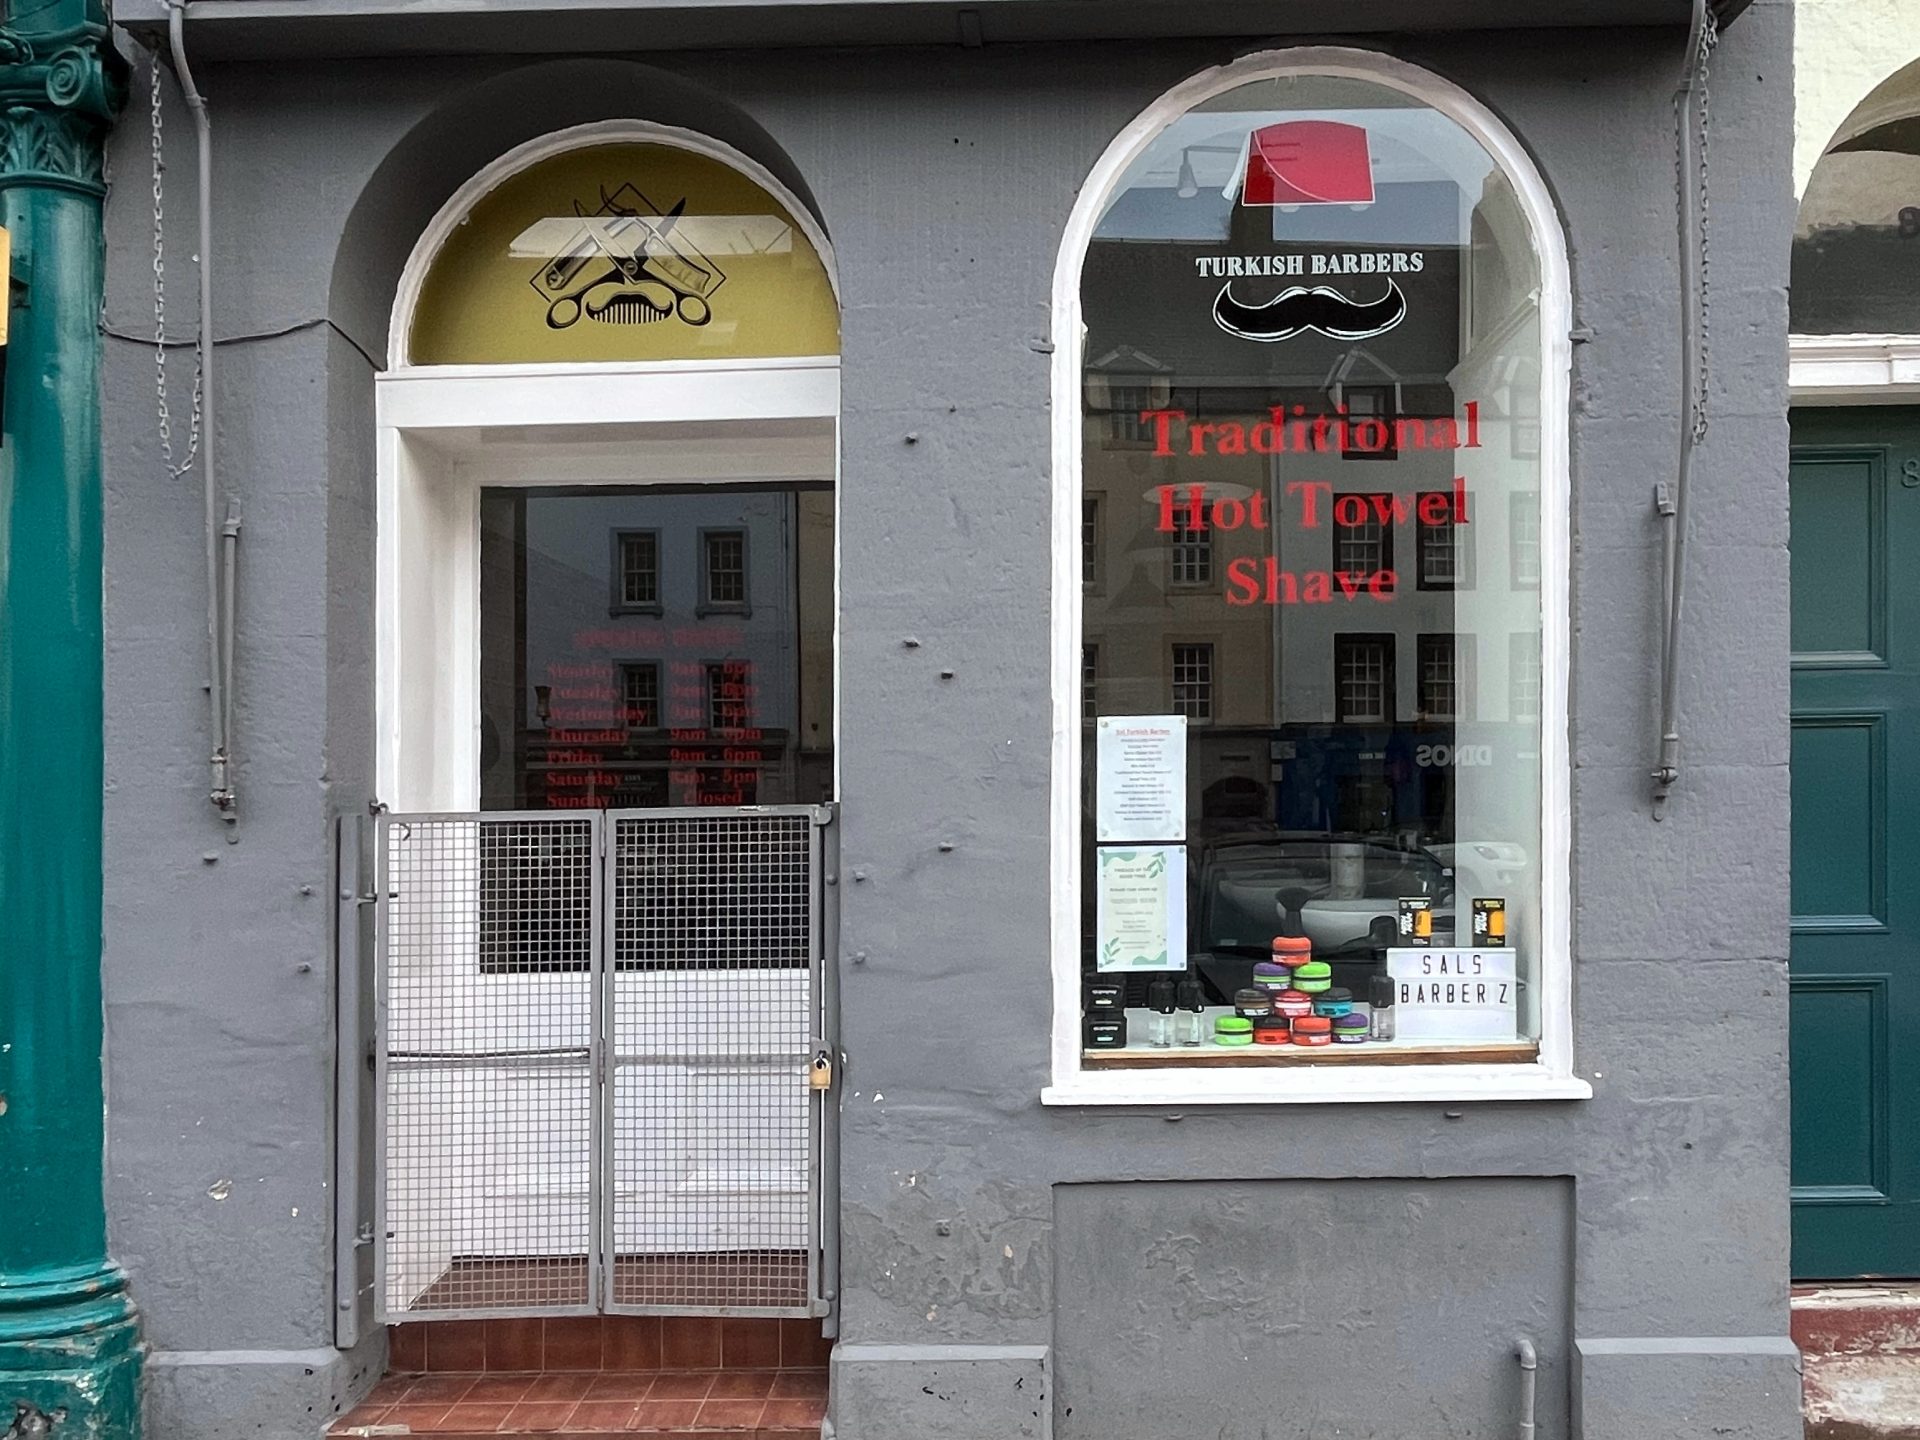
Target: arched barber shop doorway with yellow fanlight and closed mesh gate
606,706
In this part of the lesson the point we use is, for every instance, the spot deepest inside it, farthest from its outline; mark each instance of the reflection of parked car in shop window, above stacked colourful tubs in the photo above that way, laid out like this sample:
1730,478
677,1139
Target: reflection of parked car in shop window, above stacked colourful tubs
1341,892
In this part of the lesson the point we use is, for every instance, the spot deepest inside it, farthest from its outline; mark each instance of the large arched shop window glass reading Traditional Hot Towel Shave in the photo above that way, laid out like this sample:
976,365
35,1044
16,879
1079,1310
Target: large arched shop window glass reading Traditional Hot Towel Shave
1312,489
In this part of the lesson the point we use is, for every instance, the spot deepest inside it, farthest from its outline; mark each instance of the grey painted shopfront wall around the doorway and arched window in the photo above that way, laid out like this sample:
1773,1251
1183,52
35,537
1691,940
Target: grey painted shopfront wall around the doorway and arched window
946,180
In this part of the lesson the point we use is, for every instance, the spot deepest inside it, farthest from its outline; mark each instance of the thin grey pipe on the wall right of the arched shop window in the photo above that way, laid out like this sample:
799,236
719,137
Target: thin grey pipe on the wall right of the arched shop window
1671,504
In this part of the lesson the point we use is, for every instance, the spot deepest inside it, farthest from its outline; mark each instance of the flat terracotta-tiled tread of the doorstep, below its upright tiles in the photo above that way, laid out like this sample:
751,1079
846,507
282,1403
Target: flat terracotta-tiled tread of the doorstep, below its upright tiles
771,1404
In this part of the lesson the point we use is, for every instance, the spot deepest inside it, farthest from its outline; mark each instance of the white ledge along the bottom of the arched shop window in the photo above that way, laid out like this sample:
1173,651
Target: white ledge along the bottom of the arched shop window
1333,1086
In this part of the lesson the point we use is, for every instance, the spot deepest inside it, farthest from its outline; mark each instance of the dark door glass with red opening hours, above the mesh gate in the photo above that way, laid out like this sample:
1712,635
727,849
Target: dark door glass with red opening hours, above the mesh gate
646,648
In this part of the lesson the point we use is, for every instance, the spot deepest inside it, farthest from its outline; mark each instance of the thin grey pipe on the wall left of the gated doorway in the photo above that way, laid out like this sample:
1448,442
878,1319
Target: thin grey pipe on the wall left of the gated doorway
218,539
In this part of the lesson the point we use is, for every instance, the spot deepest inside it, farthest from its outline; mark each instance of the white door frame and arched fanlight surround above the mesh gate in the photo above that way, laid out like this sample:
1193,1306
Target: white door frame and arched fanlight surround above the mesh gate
446,431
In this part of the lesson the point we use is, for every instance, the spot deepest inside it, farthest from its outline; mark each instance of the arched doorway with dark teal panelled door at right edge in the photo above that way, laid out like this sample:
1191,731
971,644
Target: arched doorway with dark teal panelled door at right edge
1856,1032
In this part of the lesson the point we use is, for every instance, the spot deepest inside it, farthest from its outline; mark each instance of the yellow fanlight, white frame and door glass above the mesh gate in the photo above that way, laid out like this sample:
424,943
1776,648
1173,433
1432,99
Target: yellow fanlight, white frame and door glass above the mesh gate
615,314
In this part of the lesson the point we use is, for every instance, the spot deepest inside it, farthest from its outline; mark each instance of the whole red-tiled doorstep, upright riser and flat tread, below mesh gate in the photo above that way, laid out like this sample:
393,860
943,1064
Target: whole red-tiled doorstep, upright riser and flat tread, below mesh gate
600,1376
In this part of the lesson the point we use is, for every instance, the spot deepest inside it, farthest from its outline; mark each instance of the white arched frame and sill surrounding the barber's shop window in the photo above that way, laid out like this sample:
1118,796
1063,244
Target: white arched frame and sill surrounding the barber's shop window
1548,1078
